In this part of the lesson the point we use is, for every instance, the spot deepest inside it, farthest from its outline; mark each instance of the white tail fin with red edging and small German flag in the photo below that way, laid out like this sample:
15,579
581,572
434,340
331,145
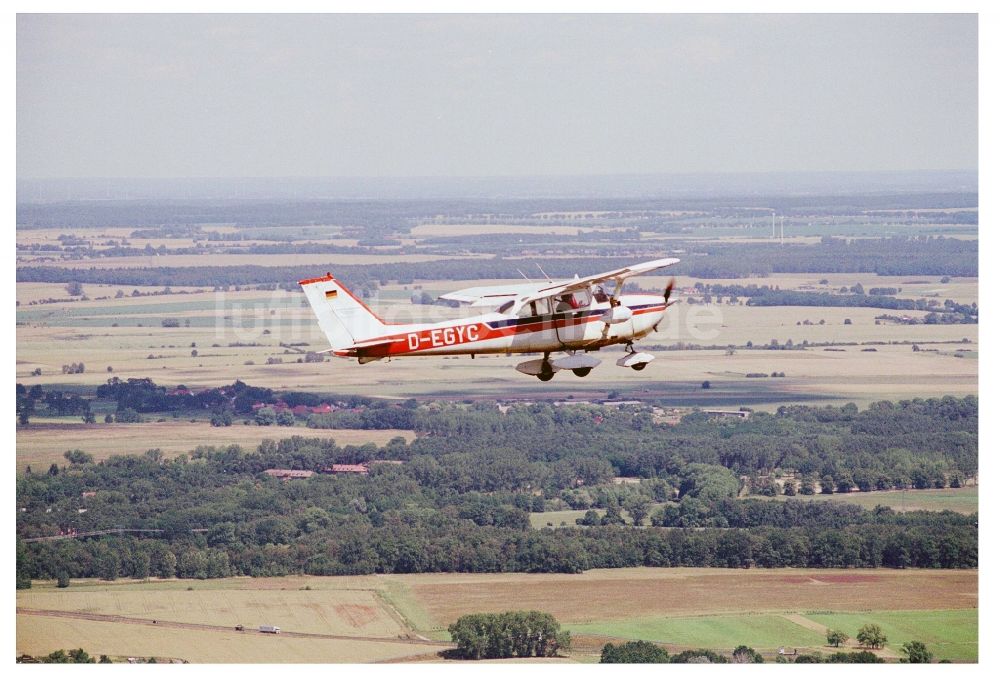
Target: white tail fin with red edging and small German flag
343,318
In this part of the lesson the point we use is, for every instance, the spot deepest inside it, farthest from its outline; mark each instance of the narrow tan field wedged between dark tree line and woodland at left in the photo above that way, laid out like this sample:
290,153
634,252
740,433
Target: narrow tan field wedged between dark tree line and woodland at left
43,443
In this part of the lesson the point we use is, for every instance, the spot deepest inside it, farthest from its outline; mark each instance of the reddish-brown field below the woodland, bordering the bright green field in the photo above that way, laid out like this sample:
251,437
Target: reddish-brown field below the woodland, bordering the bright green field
624,594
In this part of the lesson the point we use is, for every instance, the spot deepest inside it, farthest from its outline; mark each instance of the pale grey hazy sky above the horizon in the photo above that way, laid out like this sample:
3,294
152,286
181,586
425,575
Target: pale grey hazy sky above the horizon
461,95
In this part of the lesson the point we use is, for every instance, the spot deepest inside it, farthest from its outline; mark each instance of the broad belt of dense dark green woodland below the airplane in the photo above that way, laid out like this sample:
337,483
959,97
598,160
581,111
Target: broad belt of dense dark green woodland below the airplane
462,497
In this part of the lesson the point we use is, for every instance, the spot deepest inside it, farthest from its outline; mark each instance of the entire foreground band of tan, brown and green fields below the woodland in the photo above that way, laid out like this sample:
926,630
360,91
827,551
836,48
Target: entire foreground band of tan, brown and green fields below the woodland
369,618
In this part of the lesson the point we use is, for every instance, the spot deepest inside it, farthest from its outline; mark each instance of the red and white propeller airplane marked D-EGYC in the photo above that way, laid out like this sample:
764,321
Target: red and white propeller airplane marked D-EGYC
575,317
